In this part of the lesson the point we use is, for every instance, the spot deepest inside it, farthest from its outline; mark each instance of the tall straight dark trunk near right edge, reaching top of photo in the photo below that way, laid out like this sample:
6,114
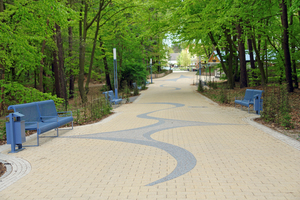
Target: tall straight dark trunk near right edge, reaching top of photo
285,46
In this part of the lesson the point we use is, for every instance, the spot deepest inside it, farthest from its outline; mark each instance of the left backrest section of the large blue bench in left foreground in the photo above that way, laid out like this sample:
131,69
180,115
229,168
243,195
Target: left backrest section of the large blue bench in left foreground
29,110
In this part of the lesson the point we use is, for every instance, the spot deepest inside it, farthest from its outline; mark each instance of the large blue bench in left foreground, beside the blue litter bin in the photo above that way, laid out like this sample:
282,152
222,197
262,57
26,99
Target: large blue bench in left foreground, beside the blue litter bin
42,116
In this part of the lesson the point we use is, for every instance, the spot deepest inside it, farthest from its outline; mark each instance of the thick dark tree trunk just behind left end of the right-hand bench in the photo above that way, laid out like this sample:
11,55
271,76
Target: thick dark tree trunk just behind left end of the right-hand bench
243,75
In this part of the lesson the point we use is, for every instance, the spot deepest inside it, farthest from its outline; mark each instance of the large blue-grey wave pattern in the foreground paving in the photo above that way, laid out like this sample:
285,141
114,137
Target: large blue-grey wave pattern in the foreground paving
186,161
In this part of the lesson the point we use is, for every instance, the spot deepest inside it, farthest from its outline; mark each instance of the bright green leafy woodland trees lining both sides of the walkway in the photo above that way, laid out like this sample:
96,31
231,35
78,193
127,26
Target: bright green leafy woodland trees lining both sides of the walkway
51,45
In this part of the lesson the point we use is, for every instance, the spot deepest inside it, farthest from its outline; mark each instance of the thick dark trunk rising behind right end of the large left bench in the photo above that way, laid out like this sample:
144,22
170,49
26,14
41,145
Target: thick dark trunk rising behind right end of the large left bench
61,69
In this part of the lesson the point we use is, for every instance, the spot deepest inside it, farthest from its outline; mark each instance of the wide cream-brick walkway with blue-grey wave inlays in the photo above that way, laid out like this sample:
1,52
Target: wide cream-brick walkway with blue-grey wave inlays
171,143
